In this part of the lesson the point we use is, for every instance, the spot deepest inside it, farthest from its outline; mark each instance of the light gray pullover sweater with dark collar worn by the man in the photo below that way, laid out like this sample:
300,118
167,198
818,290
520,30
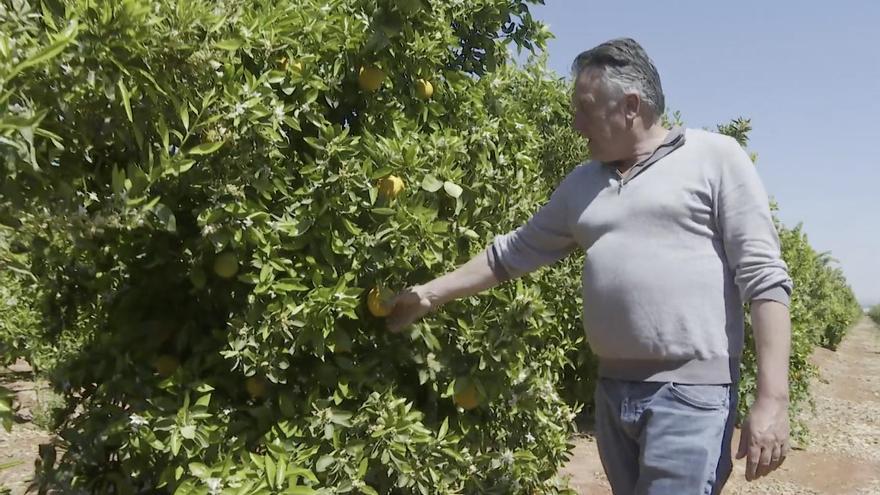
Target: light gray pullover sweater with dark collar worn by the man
673,248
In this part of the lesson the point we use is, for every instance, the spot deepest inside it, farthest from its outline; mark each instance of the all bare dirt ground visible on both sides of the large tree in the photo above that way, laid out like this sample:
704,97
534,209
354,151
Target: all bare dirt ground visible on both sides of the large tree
843,456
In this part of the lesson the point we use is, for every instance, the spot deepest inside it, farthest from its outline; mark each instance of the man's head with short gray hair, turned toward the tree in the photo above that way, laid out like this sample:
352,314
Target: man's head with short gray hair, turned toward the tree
617,97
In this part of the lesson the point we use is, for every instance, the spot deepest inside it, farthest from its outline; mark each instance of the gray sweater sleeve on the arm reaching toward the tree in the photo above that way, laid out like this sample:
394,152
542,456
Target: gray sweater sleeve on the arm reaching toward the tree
544,239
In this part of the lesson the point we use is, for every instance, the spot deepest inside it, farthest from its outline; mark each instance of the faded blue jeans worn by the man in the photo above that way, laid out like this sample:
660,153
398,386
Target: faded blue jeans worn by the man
665,438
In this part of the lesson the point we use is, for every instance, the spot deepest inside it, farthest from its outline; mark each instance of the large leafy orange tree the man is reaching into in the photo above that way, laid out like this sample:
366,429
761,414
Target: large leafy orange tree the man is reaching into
209,190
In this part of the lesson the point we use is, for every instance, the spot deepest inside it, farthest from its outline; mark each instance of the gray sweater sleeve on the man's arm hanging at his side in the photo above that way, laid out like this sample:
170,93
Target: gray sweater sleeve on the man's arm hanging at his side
751,242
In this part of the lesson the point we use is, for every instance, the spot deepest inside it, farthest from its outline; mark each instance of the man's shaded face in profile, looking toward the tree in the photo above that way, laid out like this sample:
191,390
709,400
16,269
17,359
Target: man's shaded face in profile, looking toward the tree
600,117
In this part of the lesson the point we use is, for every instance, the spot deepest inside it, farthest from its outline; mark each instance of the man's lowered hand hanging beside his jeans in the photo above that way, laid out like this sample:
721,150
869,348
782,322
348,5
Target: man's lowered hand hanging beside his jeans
764,437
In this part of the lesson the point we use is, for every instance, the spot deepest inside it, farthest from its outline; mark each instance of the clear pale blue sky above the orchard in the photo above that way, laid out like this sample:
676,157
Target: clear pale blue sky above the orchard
806,73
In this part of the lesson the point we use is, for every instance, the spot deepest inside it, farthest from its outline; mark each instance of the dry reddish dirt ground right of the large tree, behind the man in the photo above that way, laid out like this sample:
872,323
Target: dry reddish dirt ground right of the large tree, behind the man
843,454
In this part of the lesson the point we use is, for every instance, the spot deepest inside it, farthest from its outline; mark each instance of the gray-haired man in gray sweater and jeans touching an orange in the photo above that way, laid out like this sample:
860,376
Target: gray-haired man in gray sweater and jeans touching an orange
678,233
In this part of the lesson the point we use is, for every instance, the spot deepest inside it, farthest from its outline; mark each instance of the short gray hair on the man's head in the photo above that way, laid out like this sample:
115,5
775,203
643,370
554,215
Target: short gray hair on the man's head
627,68
